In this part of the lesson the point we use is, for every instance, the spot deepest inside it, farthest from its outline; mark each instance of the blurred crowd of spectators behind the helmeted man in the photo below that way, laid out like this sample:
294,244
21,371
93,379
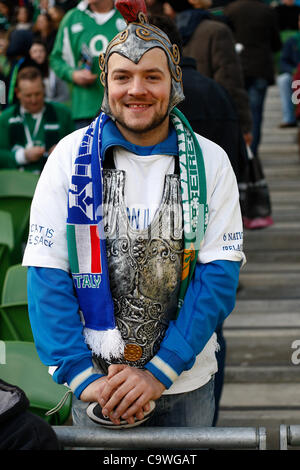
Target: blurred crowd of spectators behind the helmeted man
242,46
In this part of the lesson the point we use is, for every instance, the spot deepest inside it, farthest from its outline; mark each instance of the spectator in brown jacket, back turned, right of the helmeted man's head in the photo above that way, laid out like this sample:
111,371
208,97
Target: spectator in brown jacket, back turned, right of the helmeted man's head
211,44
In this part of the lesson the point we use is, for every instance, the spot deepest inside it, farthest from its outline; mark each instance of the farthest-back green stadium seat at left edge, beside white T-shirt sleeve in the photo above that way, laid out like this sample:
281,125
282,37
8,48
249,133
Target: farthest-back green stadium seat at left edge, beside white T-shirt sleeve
16,192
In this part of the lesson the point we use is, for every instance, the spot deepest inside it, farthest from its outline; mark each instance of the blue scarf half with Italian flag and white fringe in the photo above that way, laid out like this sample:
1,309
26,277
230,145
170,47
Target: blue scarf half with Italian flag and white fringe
86,246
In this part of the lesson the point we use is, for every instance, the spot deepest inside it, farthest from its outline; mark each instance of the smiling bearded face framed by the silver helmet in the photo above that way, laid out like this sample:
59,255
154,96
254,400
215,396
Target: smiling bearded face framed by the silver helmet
139,94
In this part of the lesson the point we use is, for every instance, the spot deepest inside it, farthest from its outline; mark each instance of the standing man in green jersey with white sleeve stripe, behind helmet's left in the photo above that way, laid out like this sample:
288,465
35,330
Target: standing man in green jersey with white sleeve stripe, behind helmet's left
83,34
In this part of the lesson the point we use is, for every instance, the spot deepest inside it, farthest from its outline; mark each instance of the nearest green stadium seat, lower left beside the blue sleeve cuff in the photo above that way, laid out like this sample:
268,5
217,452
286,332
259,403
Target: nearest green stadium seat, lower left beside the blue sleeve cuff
21,366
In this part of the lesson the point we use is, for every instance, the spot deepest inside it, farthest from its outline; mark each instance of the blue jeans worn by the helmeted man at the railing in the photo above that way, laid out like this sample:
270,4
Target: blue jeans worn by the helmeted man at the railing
190,409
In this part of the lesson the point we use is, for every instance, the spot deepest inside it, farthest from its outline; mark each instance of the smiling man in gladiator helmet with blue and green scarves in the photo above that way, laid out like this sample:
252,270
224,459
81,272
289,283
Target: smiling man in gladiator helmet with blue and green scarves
150,285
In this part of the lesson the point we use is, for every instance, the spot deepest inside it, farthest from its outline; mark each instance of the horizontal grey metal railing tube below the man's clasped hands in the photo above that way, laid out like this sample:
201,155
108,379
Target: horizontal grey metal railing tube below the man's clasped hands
163,438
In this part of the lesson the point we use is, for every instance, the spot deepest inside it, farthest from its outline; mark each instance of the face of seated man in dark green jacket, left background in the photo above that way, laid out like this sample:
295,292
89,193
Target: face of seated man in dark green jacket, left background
31,95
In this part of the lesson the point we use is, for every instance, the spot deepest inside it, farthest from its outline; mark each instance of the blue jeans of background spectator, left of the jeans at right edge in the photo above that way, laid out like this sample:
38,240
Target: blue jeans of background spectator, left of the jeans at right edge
256,89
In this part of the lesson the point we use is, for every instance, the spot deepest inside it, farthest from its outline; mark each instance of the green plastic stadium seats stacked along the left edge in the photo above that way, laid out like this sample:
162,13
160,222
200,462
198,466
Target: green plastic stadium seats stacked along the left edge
21,365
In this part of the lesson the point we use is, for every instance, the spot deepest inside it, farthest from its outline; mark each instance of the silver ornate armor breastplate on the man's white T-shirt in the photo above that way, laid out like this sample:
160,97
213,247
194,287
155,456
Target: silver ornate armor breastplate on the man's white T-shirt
144,266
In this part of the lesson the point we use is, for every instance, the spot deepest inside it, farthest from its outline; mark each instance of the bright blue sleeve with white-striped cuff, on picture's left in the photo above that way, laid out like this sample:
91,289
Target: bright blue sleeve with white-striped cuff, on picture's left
57,328
